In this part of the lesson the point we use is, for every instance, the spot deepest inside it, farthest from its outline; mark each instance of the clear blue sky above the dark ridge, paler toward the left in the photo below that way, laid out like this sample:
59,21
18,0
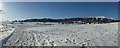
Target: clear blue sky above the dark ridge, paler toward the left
27,10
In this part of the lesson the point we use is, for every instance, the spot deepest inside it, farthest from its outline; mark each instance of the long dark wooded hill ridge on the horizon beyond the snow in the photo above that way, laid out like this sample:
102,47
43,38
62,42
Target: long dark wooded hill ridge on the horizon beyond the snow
100,19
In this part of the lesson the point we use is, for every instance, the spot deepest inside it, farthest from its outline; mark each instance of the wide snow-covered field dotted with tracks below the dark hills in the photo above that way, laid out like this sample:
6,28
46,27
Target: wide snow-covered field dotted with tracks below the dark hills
32,34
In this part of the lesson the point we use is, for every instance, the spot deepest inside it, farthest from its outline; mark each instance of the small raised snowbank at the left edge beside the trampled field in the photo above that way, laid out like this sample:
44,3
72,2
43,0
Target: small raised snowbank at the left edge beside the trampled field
5,32
